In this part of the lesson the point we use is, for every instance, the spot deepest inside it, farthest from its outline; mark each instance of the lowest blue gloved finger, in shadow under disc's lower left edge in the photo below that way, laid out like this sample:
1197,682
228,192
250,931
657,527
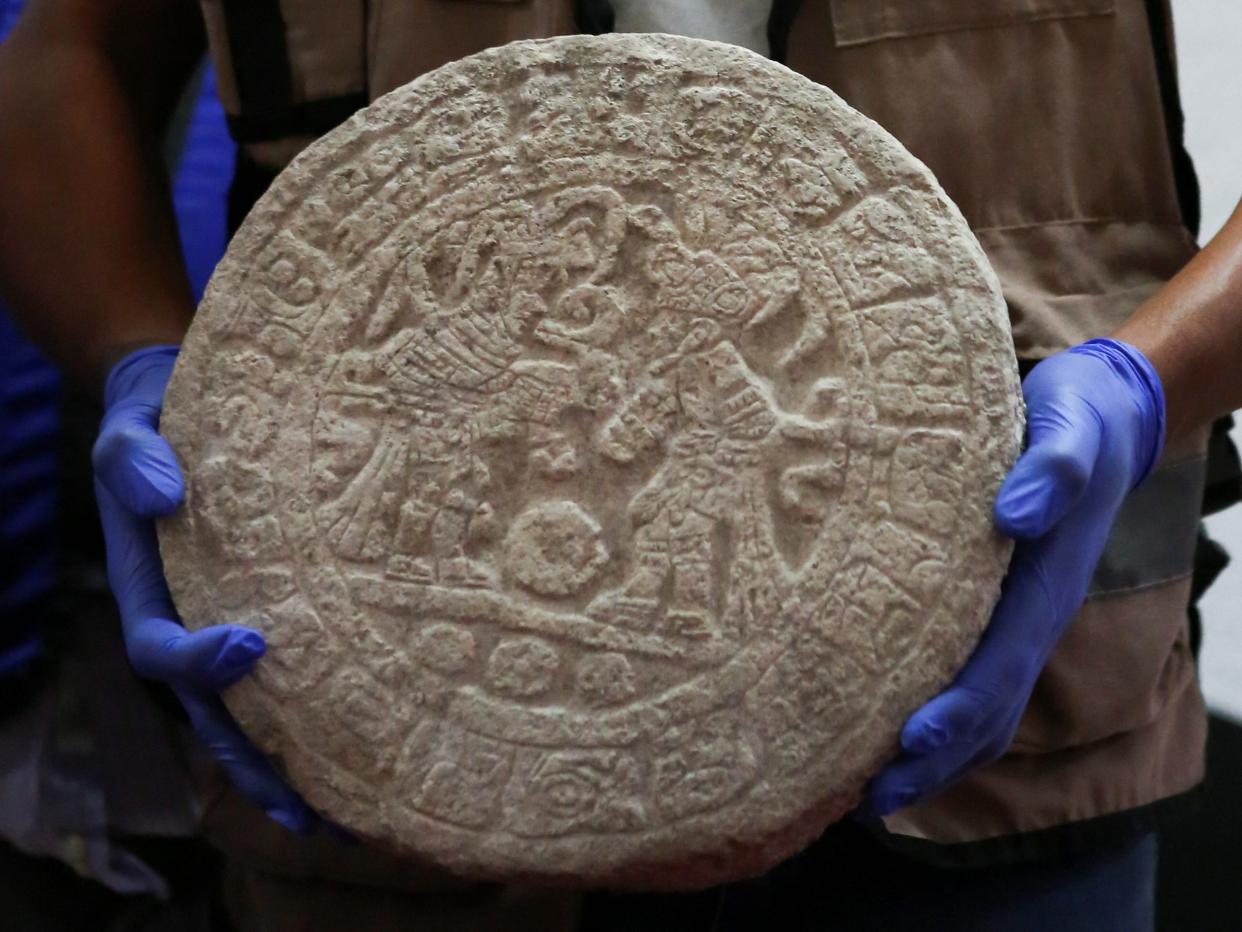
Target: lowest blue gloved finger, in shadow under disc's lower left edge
245,765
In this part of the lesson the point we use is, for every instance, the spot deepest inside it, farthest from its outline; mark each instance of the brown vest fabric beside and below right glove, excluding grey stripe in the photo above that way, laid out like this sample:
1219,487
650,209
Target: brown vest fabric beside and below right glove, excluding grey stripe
1116,723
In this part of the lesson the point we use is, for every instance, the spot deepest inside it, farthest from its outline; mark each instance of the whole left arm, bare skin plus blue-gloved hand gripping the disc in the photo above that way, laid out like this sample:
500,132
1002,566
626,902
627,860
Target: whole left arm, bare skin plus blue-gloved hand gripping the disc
91,264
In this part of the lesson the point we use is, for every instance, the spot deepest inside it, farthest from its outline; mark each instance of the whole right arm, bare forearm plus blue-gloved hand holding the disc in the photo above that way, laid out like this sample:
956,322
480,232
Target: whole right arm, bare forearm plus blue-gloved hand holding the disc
1097,419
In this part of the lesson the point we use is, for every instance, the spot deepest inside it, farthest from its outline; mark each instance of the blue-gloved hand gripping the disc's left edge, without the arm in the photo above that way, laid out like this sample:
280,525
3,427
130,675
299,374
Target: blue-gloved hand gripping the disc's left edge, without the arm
137,480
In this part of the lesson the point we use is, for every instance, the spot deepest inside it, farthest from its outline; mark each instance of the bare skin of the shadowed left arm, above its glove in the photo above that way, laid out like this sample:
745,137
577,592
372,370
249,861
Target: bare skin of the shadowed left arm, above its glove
90,262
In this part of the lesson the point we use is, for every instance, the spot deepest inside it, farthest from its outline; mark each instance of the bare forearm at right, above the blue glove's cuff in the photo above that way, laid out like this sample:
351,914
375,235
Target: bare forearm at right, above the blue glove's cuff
1192,331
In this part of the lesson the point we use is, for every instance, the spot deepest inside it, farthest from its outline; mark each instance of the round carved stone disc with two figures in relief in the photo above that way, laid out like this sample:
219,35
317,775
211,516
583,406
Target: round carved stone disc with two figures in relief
603,434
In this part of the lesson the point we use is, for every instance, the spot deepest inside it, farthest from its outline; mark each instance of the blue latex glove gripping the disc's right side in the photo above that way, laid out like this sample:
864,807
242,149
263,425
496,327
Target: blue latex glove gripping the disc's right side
1096,418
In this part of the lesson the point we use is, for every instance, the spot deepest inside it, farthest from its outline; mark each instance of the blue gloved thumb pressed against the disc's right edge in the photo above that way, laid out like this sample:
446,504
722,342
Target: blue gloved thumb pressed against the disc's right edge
1054,472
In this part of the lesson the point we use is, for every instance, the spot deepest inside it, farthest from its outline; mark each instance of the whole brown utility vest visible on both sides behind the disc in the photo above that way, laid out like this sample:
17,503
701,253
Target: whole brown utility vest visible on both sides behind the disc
1044,121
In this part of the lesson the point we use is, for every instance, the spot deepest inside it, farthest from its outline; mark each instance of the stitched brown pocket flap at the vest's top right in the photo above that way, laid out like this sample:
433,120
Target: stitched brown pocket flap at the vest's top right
860,22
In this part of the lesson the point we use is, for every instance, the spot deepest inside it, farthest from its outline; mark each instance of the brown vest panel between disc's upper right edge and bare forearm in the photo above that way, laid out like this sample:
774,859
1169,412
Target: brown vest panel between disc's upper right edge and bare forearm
1044,122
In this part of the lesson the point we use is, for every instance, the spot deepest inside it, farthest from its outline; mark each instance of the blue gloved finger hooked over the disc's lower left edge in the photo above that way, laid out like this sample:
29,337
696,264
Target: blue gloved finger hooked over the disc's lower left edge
209,659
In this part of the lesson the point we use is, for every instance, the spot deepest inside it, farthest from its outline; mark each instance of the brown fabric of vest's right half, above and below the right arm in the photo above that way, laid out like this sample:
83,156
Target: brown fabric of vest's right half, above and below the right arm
1044,121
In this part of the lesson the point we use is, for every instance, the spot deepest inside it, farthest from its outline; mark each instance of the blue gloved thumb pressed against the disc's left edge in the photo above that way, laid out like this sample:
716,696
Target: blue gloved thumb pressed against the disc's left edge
137,465
